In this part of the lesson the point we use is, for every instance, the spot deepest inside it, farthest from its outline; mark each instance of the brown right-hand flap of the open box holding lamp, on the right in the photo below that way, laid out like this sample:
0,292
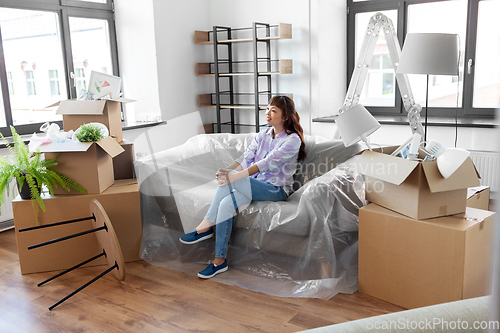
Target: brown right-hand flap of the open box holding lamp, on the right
465,176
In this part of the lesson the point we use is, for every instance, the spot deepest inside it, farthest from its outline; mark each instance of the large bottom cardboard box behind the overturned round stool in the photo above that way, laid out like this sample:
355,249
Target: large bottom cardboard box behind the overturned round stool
122,204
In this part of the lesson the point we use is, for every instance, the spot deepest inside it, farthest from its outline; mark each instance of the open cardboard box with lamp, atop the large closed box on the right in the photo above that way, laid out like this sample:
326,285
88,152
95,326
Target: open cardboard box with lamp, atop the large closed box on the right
415,189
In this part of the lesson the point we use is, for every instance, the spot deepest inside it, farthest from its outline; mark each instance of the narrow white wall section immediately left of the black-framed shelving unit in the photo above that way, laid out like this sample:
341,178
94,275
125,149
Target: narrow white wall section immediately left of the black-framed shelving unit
177,55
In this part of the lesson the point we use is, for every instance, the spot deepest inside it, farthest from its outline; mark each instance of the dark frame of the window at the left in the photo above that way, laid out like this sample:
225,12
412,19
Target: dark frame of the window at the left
64,9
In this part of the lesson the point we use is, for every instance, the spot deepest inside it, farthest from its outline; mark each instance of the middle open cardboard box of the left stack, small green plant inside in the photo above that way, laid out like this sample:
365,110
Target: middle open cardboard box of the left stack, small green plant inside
90,164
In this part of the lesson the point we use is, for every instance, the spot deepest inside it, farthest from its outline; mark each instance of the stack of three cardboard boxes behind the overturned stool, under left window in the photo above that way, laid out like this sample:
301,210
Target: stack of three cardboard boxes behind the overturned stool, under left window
105,169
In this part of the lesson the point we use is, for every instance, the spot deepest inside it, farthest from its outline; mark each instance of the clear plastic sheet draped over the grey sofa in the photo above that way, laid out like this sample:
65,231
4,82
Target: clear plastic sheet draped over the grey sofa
305,246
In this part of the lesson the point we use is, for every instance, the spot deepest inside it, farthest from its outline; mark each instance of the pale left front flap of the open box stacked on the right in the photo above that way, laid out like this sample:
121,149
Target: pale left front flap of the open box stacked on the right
384,167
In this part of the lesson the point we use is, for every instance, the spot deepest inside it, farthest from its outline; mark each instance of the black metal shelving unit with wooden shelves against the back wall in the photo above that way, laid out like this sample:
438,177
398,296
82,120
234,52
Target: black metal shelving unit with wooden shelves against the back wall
228,99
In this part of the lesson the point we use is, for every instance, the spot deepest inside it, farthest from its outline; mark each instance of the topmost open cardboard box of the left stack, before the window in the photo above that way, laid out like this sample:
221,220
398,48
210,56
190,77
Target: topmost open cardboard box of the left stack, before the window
105,111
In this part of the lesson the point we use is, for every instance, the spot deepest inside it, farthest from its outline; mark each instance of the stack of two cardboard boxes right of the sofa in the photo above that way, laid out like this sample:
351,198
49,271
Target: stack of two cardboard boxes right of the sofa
418,243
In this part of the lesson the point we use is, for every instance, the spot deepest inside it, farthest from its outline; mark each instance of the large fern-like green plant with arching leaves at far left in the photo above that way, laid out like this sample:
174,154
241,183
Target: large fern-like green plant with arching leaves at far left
29,168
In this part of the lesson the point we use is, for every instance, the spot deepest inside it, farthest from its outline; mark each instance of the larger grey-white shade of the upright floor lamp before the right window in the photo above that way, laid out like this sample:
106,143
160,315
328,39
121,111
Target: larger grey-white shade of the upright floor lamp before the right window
429,53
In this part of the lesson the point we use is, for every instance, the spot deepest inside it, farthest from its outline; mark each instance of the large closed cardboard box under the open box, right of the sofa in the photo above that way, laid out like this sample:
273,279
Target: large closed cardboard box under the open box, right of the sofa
414,263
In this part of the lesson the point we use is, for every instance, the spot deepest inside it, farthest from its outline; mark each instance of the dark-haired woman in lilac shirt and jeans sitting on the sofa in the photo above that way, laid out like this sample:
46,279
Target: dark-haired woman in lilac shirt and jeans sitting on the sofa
264,172
